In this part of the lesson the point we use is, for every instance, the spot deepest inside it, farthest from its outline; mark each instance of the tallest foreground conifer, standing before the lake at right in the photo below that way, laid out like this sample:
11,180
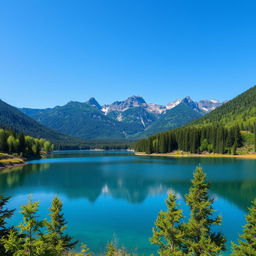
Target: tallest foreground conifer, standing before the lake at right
200,239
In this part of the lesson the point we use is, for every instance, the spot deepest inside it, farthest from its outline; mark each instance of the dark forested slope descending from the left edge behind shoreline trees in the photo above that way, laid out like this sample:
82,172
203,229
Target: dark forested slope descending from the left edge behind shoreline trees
13,119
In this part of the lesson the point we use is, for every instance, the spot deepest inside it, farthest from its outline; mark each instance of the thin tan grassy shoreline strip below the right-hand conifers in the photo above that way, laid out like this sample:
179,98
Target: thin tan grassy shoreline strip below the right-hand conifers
184,154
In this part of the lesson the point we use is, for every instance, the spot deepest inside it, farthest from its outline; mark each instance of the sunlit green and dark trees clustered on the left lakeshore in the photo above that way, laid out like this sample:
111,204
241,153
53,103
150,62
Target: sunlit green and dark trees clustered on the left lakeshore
25,146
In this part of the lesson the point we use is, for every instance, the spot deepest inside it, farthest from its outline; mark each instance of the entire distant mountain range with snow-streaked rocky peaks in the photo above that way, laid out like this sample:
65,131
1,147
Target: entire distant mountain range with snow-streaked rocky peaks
128,119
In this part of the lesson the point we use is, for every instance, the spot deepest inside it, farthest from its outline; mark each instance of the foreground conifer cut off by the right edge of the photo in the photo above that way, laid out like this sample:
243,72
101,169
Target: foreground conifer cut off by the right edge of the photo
247,246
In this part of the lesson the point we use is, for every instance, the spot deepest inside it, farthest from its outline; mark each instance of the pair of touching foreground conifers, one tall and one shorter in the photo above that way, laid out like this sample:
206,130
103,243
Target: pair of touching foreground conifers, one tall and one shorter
195,237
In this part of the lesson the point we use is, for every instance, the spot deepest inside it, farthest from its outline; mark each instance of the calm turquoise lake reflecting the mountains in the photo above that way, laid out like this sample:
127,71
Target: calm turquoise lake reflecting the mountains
114,195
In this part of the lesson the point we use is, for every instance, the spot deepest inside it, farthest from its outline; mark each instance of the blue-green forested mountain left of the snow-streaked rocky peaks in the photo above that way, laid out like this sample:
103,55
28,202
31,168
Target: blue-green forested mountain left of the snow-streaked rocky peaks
80,120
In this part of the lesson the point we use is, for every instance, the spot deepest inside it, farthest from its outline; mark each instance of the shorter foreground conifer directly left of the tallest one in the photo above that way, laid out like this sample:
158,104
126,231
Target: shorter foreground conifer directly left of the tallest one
168,233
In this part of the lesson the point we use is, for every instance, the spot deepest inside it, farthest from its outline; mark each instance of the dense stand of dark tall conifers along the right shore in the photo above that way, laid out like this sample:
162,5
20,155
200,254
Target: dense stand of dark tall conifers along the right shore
212,139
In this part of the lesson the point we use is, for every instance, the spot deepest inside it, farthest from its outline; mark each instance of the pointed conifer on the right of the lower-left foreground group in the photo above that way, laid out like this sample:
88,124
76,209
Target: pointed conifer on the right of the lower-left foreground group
59,242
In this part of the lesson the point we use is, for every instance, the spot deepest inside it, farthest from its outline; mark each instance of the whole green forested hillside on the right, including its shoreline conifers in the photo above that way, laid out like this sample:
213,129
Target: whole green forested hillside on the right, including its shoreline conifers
217,132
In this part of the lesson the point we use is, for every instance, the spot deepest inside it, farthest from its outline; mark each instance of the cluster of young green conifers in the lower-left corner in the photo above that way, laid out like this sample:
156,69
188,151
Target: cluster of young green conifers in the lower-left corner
37,237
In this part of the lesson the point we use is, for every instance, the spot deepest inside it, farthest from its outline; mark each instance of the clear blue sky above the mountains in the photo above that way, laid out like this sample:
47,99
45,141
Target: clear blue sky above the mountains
53,51
